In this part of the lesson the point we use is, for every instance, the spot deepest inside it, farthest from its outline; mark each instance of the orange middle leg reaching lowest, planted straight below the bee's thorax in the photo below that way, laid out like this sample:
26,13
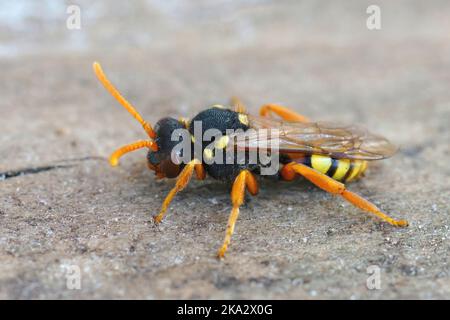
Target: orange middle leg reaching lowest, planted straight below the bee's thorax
244,180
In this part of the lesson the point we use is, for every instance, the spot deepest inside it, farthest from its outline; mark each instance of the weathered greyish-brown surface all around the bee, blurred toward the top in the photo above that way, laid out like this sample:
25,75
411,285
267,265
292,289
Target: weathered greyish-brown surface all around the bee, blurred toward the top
61,205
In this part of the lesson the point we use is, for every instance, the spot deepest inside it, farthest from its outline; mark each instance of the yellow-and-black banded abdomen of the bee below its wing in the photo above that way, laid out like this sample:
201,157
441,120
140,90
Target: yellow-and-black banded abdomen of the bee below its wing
343,170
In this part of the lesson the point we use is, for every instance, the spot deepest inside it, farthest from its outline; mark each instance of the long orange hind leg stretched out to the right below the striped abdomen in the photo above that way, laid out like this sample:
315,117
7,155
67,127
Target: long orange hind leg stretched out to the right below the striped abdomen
334,187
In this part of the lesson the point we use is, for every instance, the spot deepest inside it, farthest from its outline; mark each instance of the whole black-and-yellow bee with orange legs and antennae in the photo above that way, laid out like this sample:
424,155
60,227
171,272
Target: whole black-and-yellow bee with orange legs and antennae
328,155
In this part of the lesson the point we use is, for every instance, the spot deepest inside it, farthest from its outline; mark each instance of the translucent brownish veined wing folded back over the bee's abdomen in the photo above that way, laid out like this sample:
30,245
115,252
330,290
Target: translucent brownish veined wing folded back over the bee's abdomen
324,138
